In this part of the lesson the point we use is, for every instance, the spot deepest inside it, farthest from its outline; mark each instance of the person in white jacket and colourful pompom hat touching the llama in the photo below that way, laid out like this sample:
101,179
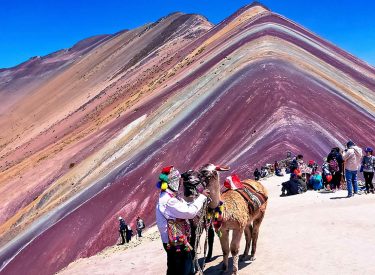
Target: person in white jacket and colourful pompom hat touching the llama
171,215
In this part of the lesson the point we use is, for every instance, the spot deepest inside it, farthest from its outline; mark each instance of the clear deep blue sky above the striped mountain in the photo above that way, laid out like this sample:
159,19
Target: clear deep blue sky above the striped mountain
30,28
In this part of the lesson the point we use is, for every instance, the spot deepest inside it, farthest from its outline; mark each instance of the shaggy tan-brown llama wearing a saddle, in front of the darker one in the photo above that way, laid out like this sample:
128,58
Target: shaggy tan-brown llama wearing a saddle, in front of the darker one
237,215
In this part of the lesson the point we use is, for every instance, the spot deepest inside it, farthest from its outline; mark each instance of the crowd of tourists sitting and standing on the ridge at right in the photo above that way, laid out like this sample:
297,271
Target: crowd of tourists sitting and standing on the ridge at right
337,166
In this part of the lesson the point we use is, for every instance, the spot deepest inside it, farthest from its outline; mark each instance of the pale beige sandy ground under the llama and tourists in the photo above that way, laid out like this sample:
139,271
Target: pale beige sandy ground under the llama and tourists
313,233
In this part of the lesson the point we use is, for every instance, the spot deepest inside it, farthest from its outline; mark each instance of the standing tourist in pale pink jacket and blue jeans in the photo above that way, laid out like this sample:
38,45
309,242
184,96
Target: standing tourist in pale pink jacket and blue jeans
352,157
